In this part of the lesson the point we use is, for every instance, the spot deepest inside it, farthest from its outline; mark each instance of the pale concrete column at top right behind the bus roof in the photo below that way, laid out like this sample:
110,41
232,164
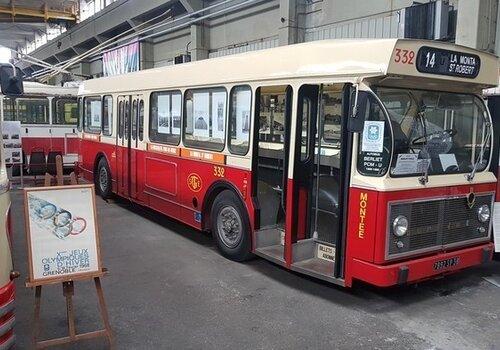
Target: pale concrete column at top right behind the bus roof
476,24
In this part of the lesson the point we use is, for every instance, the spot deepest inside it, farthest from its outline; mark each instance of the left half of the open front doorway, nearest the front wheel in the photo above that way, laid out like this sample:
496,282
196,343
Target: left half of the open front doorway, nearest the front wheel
273,107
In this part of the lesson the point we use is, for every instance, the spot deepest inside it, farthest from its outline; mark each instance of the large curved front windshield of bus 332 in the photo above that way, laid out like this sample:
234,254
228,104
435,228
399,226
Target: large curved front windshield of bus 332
437,132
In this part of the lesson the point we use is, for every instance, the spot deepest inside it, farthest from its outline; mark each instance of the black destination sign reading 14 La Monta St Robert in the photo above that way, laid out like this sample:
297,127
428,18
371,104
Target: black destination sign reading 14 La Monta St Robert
445,62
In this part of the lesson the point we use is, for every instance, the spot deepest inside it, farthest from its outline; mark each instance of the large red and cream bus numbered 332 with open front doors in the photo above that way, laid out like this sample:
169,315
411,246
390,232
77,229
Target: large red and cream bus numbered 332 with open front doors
345,160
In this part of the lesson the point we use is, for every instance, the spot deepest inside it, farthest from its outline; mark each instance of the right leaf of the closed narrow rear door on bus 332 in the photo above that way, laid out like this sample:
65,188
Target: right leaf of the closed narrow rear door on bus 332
136,138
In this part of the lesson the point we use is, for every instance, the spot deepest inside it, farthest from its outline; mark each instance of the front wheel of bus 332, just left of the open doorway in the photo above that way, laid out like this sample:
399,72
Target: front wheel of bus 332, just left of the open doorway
230,226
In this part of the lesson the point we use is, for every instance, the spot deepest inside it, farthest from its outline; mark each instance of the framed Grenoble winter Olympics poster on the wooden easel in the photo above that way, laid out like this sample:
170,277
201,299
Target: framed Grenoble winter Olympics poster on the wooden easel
61,234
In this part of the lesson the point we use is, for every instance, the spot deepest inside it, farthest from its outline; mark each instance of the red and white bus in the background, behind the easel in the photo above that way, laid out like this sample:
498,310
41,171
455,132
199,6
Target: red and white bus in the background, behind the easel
48,116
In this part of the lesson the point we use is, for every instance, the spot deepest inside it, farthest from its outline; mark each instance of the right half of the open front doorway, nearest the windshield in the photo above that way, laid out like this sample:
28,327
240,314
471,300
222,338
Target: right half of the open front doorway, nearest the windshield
320,173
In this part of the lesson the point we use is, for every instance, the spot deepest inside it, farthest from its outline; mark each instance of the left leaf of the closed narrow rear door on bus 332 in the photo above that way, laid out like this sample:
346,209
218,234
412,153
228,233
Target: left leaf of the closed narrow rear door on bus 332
123,145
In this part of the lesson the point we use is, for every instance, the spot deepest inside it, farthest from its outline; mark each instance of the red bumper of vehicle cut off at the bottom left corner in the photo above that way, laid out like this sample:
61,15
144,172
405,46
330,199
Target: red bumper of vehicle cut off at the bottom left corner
7,318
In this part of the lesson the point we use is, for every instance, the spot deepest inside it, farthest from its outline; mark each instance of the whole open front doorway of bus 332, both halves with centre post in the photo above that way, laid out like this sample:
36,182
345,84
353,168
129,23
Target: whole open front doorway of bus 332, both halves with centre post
300,217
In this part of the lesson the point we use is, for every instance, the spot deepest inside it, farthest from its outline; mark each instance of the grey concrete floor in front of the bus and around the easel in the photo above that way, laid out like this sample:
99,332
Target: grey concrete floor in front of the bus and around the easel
168,288
